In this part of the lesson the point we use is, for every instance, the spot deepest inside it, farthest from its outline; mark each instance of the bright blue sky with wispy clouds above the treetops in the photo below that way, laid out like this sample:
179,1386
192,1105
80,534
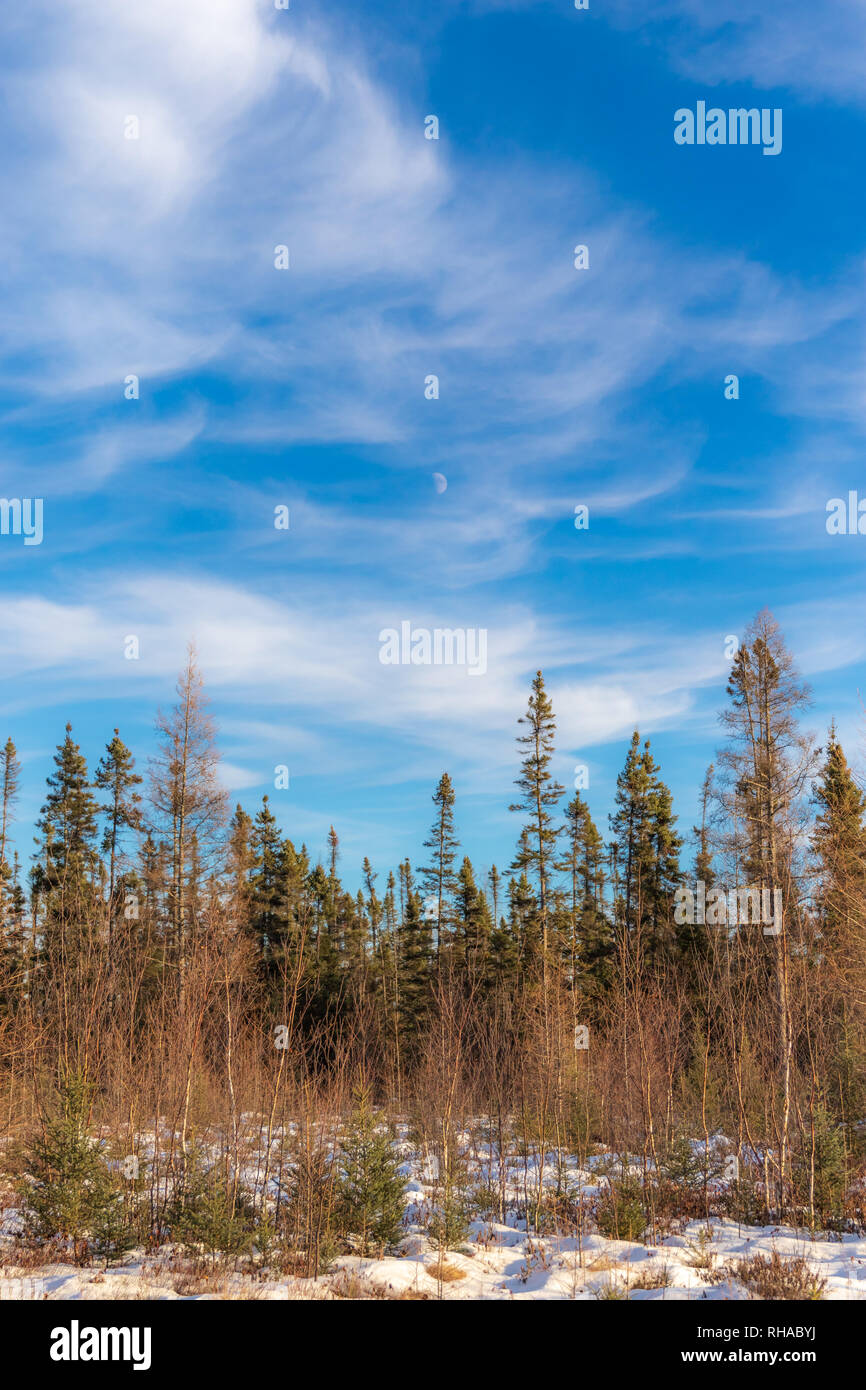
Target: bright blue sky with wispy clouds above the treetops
307,387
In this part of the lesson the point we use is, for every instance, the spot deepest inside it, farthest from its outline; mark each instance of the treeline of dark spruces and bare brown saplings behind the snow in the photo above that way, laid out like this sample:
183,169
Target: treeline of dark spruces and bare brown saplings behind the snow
198,968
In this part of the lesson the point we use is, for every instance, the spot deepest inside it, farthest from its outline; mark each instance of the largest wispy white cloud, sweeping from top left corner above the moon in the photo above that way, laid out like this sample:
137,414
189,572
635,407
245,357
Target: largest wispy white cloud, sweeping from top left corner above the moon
156,255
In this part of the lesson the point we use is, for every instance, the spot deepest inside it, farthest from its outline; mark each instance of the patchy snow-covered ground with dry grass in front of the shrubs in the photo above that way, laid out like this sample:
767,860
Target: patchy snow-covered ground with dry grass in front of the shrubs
497,1261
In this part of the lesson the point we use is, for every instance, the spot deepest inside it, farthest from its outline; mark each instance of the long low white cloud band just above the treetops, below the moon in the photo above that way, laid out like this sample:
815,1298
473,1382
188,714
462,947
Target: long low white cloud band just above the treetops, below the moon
322,664
